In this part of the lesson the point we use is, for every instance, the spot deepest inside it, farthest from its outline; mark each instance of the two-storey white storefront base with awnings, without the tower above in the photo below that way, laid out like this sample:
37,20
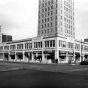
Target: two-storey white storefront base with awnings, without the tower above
45,50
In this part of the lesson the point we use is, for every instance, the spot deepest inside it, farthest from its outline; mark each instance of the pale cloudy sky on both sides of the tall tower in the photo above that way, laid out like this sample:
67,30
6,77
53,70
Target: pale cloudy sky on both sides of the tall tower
19,18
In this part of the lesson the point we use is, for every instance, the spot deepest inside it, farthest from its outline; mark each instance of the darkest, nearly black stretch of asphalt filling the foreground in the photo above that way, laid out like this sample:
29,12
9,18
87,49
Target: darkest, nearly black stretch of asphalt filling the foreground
41,79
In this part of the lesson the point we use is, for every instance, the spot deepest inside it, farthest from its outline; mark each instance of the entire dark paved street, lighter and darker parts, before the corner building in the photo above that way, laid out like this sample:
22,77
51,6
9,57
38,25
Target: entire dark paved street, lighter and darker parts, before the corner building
42,76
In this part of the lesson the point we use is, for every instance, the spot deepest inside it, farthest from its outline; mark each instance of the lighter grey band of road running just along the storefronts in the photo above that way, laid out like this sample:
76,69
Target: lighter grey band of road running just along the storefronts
47,67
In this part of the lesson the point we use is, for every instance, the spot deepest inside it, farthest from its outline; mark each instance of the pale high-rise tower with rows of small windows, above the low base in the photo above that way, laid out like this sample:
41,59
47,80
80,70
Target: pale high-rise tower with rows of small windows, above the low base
56,17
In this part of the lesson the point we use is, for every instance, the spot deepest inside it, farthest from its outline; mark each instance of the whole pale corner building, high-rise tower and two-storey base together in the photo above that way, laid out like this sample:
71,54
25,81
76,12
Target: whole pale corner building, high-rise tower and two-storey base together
55,41
